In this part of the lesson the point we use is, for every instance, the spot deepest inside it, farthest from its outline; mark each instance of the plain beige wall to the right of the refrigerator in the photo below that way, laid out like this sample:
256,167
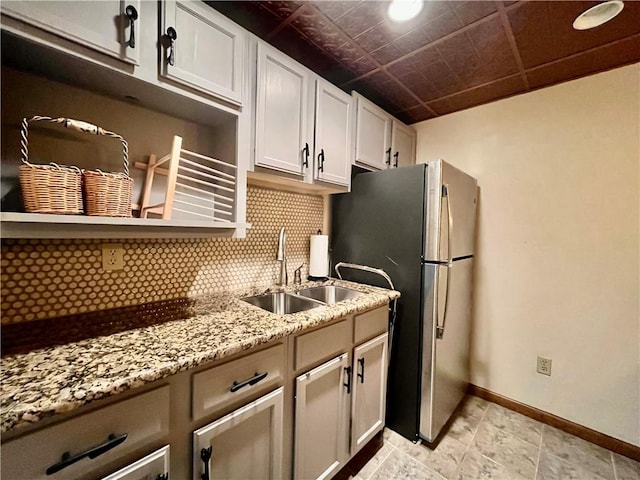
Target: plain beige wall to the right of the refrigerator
558,265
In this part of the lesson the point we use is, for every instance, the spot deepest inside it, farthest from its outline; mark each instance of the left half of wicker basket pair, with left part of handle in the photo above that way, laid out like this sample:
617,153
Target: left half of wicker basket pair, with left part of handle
50,188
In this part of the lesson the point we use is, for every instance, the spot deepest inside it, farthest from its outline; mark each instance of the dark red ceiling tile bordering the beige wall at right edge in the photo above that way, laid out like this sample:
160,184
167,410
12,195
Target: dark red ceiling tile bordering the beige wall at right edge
609,56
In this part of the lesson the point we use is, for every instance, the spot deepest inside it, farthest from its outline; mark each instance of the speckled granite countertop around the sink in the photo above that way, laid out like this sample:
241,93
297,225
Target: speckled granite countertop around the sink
56,379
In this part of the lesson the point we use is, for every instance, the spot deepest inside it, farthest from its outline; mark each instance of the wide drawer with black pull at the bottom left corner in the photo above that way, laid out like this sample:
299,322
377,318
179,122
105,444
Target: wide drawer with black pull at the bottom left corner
144,419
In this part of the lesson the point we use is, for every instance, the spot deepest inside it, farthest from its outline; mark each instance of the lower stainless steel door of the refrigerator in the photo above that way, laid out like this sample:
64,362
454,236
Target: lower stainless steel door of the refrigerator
445,361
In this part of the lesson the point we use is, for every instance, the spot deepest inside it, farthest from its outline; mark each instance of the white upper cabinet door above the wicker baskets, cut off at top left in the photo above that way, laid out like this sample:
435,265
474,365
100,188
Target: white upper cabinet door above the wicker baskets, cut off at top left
100,25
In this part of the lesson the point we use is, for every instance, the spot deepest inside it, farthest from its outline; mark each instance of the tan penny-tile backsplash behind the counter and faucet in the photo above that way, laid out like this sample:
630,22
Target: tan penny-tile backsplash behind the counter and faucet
50,278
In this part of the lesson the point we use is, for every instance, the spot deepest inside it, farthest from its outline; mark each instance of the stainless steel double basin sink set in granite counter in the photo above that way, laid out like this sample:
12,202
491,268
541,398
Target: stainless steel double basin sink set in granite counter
283,303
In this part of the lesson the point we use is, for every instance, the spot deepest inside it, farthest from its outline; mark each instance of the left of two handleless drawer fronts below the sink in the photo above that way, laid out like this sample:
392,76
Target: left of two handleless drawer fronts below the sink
322,343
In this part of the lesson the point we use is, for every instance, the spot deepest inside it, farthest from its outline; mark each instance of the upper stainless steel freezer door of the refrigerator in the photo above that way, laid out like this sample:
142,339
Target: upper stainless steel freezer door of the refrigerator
451,212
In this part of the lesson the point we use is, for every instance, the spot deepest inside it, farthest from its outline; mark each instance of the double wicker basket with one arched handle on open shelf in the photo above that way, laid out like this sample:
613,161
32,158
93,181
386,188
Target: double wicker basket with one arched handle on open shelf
106,194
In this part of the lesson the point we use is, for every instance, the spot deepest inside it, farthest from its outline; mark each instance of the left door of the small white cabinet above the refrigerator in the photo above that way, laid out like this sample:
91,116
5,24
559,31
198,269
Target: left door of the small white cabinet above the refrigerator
373,128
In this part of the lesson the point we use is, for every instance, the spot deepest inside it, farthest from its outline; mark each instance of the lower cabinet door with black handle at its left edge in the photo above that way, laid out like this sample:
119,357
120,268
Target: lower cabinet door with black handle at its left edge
247,443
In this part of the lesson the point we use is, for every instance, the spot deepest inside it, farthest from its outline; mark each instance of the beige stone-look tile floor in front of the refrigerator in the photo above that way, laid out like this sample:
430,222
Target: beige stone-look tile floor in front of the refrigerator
487,441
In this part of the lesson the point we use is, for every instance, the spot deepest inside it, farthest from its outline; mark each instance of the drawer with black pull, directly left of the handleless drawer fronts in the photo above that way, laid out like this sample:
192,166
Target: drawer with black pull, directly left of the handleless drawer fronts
240,379
